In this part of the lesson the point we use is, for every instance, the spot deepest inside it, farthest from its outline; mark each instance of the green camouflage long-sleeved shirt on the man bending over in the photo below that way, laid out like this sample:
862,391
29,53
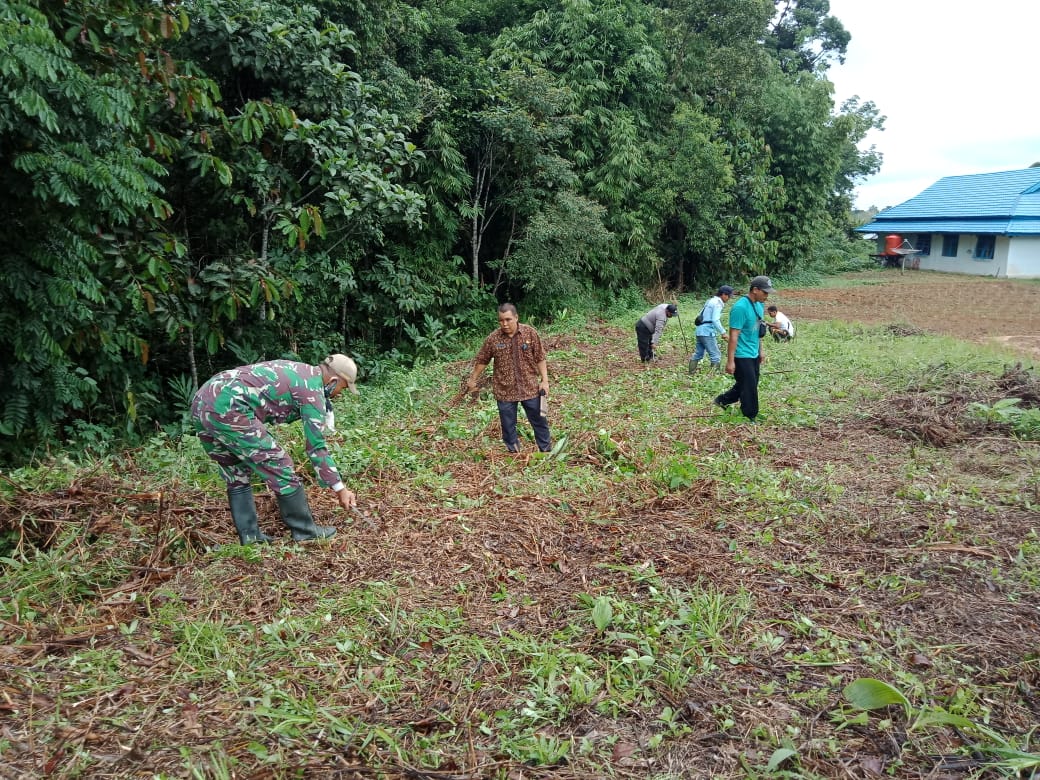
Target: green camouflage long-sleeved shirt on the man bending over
275,392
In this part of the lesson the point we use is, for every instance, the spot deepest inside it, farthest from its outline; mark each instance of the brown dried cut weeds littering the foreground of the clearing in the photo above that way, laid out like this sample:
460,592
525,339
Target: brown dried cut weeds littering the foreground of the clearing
876,552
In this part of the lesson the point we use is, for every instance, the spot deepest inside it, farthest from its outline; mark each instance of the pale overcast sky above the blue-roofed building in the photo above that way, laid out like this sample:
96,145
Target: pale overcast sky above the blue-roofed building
955,80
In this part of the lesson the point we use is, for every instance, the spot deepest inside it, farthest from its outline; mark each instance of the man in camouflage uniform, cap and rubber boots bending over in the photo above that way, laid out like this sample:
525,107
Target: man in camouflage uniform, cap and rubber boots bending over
230,411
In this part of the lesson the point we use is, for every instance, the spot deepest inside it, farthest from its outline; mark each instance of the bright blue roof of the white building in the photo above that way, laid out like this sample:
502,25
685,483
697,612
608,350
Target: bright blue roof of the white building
1006,203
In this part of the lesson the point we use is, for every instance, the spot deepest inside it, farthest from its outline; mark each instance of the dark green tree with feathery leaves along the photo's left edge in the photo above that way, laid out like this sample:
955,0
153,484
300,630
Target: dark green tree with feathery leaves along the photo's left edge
84,90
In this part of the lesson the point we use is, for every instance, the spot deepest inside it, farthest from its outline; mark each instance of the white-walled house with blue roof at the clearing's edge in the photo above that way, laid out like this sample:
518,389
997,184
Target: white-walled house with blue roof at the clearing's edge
982,224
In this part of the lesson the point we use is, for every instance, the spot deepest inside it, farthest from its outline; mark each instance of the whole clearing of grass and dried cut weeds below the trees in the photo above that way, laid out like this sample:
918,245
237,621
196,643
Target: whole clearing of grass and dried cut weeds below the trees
847,589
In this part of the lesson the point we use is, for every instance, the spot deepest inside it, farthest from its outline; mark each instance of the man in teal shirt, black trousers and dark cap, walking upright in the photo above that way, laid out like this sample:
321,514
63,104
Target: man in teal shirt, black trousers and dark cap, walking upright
745,355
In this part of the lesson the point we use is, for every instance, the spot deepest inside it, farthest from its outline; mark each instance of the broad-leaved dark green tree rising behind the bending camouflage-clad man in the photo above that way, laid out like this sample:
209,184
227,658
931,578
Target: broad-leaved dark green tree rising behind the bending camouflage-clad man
309,169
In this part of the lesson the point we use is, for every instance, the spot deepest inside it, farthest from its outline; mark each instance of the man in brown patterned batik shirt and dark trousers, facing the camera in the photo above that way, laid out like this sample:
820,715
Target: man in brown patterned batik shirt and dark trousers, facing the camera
521,376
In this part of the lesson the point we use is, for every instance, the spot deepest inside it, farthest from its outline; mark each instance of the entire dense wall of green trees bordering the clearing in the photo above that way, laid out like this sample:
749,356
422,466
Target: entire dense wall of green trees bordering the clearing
190,186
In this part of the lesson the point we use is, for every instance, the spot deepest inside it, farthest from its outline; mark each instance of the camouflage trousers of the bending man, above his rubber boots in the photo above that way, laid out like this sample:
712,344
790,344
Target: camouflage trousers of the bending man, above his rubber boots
242,447
